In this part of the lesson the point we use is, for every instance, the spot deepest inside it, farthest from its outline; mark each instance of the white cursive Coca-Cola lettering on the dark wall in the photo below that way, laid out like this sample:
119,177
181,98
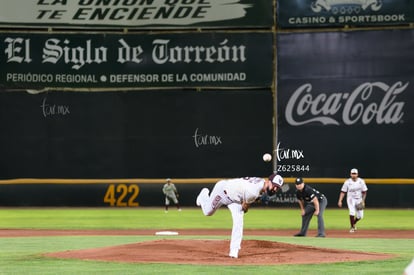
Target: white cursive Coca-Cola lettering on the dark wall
358,106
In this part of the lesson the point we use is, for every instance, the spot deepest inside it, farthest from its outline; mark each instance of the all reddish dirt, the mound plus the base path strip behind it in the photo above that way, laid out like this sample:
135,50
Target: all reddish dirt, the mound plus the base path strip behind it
168,249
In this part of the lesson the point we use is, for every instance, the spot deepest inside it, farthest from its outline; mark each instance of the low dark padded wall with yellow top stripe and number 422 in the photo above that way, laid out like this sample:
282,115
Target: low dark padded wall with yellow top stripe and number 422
387,193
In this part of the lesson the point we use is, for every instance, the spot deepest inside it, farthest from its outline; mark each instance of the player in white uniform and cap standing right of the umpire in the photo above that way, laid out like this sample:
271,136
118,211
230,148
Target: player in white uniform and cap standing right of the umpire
356,192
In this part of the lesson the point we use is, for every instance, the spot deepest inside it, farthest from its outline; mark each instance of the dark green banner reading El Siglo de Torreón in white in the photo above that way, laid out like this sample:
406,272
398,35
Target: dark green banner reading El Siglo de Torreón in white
215,59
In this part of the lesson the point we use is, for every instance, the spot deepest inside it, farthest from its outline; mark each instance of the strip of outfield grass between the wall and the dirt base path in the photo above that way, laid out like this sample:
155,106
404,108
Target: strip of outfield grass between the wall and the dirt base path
155,218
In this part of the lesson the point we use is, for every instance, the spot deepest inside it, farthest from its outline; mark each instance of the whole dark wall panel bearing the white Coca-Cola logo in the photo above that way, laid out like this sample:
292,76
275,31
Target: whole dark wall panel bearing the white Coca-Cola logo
345,100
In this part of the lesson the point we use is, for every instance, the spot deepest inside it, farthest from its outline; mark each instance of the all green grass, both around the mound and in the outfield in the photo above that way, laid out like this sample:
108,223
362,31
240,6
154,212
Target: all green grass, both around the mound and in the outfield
23,255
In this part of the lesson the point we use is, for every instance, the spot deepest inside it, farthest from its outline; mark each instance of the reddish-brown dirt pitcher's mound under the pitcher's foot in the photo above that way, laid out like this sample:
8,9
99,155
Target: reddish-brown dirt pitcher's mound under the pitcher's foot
215,252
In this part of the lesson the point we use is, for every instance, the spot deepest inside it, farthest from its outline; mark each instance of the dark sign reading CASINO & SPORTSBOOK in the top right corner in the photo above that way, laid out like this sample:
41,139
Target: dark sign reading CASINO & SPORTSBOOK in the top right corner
335,13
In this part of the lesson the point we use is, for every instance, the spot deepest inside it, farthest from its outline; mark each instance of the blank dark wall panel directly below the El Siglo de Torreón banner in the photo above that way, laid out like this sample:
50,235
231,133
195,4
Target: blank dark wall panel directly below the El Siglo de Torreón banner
145,134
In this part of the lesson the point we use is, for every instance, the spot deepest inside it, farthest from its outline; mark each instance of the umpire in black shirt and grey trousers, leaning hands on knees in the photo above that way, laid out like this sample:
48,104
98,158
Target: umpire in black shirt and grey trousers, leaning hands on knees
311,202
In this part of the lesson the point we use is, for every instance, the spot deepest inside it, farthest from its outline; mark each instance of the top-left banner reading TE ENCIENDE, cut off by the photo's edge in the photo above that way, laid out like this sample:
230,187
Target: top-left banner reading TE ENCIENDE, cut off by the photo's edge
142,14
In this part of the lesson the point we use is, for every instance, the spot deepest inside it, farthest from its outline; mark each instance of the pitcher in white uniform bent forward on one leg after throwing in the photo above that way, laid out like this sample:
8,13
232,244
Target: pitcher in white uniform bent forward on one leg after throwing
237,194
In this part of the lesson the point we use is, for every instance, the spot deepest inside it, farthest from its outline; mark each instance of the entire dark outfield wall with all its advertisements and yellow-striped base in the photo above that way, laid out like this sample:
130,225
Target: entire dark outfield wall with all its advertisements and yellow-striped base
104,91
